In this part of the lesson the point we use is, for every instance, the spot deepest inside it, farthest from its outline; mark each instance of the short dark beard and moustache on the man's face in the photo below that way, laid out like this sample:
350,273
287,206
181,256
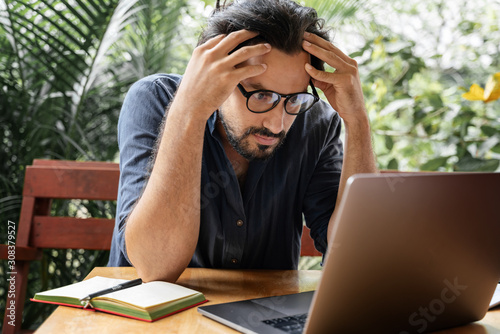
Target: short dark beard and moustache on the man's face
242,145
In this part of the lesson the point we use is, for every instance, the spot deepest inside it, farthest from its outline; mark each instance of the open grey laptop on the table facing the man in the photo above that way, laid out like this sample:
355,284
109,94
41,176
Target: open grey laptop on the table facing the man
408,253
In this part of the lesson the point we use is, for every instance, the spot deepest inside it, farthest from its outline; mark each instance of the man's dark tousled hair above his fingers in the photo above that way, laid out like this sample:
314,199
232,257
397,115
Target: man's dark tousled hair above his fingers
281,23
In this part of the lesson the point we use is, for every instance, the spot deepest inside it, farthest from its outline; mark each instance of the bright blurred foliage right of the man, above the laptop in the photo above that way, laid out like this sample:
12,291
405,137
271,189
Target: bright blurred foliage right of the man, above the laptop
419,119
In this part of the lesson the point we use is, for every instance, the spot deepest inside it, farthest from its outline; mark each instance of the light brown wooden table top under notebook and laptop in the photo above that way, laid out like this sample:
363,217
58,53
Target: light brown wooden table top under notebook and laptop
218,286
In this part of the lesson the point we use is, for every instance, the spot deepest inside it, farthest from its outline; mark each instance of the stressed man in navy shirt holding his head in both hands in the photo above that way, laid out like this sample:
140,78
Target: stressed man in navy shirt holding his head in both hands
243,150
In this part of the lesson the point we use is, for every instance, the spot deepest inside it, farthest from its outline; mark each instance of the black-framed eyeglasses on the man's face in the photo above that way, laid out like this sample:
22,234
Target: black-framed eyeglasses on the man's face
263,100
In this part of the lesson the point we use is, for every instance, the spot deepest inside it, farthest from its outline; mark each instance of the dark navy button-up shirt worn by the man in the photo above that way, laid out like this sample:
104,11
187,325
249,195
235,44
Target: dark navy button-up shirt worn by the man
259,226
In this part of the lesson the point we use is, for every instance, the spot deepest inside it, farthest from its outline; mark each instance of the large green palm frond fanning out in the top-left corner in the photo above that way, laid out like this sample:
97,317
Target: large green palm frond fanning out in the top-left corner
60,46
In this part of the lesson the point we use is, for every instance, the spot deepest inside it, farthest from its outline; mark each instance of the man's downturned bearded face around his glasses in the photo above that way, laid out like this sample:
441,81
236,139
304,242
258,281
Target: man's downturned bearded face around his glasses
256,136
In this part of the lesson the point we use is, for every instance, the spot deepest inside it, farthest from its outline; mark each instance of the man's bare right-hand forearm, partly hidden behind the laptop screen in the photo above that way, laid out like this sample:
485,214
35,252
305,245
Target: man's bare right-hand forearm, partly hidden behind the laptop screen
358,156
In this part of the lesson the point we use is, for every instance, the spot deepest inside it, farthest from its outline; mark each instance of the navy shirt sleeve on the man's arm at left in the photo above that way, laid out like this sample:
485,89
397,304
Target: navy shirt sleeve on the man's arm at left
138,129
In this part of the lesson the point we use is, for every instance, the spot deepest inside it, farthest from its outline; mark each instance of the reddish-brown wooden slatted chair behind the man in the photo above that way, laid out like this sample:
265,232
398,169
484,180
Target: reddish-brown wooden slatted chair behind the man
44,181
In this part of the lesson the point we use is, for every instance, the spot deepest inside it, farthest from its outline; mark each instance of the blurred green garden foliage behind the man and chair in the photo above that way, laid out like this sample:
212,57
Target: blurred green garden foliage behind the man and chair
65,66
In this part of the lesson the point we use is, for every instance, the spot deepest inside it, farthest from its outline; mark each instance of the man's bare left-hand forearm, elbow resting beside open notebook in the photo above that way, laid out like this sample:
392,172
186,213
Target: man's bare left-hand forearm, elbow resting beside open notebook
162,231
